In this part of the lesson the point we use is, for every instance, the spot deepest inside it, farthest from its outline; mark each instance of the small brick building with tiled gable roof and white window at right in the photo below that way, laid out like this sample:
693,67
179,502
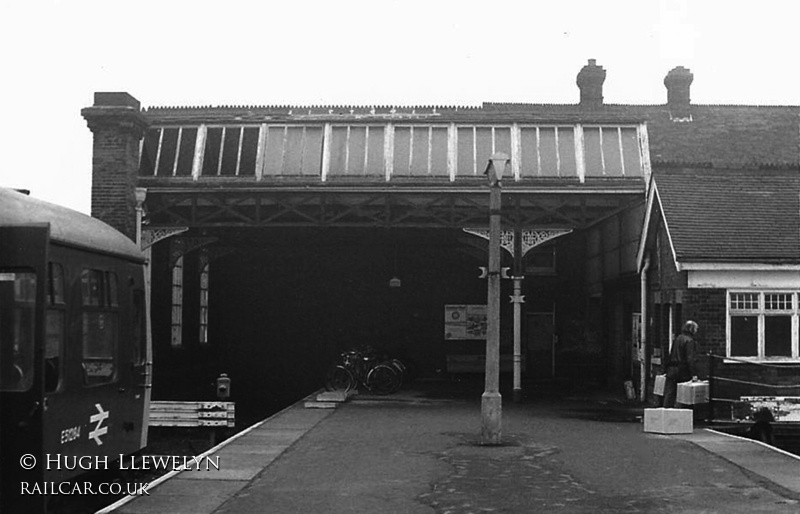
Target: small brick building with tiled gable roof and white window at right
722,247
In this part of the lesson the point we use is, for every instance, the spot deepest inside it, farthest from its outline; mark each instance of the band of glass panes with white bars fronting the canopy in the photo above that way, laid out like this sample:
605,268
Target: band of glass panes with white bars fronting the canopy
389,151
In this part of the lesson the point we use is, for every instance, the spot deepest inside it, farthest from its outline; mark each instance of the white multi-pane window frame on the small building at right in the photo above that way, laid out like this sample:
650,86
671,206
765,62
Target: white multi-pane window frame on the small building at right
761,312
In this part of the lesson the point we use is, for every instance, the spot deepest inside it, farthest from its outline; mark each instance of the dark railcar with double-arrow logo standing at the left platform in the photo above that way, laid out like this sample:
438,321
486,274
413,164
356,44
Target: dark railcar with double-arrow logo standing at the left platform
74,348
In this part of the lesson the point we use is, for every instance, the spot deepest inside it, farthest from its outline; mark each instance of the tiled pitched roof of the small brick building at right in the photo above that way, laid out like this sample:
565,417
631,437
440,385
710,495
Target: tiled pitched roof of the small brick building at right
731,215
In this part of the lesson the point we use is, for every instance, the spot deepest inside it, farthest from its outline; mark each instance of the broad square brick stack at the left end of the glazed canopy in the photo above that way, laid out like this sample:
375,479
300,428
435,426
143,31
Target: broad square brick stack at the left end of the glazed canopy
117,123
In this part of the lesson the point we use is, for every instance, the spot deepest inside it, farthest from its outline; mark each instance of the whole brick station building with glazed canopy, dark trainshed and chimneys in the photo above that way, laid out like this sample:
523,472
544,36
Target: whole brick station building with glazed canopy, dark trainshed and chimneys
281,235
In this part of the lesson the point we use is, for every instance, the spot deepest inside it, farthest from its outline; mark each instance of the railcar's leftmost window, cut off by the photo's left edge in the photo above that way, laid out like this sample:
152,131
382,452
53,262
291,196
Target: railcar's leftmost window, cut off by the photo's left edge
17,329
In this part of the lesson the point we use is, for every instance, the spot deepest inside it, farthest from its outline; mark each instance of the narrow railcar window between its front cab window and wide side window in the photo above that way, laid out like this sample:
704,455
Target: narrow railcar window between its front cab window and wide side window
54,328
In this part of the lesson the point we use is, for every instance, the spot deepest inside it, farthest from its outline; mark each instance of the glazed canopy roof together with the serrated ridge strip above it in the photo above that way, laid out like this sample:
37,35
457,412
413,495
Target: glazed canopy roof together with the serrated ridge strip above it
448,143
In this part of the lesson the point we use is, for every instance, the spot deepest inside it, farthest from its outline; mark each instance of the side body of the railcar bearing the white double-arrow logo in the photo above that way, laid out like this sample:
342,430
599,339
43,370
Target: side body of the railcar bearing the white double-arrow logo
103,417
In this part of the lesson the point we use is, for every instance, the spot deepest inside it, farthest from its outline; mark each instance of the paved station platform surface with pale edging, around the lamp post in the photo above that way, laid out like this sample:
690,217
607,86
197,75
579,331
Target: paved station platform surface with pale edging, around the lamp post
418,452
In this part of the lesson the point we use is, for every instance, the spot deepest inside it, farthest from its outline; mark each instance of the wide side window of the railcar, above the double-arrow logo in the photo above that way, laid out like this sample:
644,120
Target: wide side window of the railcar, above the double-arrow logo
100,325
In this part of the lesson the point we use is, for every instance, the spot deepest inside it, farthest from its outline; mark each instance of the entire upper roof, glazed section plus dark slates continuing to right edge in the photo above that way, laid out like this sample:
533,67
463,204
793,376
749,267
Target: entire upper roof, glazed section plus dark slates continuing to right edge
543,140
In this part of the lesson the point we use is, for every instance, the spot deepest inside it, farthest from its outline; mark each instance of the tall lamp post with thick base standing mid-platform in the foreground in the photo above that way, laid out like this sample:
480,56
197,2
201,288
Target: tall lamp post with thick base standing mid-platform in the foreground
491,401
